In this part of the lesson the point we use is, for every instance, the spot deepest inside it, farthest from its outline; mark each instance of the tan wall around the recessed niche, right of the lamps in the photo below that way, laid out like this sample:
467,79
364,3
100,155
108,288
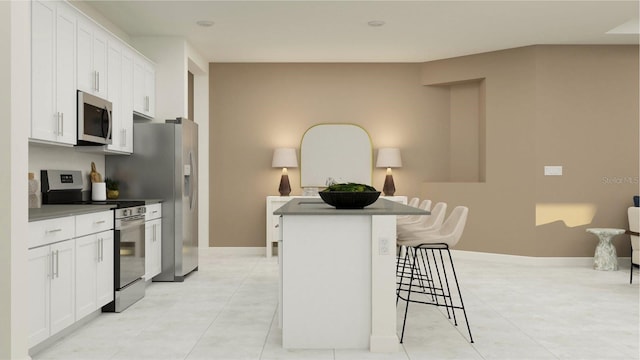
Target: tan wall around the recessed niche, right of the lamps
575,106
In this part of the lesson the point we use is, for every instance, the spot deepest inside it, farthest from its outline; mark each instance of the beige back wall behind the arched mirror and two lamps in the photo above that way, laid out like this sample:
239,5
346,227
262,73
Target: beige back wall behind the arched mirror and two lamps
258,107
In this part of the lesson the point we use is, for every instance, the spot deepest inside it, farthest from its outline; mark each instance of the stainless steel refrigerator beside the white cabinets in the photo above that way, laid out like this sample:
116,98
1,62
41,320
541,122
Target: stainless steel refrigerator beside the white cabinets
164,166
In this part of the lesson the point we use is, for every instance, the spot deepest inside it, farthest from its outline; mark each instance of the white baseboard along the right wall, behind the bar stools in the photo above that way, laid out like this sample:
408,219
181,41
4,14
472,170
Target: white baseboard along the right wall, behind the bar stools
527,260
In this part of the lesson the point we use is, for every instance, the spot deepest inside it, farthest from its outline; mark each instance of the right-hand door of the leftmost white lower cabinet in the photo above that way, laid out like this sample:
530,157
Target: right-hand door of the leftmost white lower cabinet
62,285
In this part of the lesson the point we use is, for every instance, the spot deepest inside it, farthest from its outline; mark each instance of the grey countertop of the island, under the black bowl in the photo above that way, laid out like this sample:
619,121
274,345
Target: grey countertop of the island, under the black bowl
315,206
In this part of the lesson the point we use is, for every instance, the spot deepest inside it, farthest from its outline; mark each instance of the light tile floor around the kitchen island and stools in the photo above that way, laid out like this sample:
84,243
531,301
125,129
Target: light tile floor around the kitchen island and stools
227,310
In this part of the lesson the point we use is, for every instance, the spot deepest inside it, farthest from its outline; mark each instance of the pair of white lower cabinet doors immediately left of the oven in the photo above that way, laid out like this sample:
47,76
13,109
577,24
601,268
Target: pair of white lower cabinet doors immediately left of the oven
94,272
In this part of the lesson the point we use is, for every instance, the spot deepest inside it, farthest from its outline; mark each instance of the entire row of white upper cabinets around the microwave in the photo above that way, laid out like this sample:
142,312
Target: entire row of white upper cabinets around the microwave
70,52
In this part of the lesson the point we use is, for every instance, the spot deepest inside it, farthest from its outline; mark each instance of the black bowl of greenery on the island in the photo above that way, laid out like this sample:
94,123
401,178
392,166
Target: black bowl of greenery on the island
349,195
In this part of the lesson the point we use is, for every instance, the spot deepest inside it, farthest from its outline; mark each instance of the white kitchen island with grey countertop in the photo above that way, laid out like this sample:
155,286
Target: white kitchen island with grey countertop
337,275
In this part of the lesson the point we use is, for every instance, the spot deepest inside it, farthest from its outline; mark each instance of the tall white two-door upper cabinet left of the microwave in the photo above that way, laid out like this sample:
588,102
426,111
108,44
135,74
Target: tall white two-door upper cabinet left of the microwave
53,77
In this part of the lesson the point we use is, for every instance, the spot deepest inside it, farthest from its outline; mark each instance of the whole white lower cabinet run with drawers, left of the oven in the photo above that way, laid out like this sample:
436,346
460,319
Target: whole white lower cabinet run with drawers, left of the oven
70,271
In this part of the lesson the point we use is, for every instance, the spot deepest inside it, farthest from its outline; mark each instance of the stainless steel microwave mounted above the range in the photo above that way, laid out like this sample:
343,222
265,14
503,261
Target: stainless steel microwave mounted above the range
95,120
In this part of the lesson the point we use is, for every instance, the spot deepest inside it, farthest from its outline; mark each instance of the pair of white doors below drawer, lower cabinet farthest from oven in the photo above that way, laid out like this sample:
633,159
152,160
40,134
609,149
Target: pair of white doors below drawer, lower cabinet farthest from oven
51,290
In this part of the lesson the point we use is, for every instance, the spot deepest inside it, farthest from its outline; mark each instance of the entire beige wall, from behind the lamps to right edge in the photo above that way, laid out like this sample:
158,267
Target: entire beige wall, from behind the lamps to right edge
537,106
